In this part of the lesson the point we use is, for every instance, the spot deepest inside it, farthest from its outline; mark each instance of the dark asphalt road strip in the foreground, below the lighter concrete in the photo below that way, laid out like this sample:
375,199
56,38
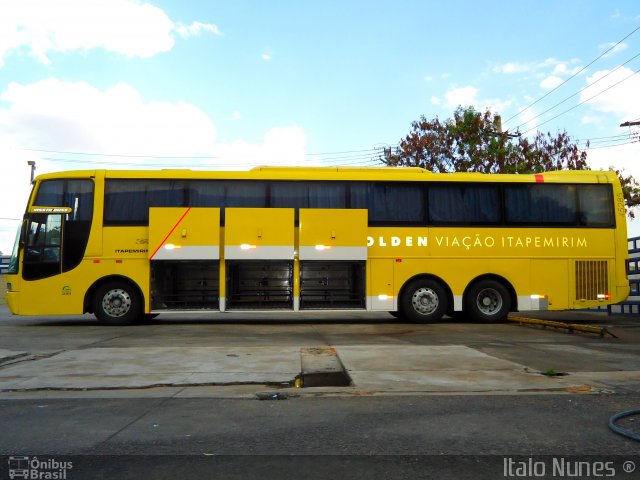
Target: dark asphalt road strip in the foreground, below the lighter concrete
406,437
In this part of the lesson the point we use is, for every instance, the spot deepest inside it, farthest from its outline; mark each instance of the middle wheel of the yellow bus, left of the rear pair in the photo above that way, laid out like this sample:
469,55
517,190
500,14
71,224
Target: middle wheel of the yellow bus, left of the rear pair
423,301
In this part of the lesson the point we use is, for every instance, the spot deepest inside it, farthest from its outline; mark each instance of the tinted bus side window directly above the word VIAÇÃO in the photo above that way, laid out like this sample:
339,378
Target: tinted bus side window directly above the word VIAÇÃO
464,204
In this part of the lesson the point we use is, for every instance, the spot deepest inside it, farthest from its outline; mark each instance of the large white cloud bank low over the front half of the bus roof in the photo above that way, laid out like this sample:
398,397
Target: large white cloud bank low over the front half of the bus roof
77,117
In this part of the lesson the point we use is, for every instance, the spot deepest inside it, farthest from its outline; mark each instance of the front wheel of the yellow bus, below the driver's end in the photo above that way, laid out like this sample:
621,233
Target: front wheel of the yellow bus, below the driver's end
117,303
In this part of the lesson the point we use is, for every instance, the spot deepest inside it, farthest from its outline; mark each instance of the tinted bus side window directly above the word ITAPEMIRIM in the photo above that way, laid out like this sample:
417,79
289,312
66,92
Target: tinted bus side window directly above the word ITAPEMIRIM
540,204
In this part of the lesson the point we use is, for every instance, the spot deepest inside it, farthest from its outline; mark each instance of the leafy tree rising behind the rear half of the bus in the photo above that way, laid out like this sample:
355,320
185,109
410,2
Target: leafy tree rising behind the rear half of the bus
473,141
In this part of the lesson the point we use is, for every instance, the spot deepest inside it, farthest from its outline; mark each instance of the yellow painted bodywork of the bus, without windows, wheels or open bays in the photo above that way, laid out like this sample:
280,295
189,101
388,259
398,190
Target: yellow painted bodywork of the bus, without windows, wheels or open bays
558,264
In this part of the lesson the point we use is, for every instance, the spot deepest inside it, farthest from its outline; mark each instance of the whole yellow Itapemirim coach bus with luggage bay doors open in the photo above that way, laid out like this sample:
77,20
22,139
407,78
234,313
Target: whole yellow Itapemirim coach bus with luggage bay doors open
125,245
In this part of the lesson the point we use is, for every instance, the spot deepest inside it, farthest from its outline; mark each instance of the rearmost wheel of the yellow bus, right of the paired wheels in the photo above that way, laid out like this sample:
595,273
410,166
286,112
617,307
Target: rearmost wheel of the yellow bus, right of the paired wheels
488,301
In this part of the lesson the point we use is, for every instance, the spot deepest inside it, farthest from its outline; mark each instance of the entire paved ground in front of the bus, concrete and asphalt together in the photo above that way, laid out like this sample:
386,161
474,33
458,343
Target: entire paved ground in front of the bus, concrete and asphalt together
450,400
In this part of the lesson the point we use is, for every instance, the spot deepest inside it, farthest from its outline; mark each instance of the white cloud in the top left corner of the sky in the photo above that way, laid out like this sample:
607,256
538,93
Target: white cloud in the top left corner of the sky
126,27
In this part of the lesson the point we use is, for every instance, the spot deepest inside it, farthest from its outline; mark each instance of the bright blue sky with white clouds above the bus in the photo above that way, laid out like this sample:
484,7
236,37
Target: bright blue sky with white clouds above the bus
239,84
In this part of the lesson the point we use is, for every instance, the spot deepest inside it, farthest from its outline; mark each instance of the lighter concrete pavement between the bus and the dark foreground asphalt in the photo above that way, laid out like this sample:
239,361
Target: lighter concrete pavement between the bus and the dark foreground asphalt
193,354
